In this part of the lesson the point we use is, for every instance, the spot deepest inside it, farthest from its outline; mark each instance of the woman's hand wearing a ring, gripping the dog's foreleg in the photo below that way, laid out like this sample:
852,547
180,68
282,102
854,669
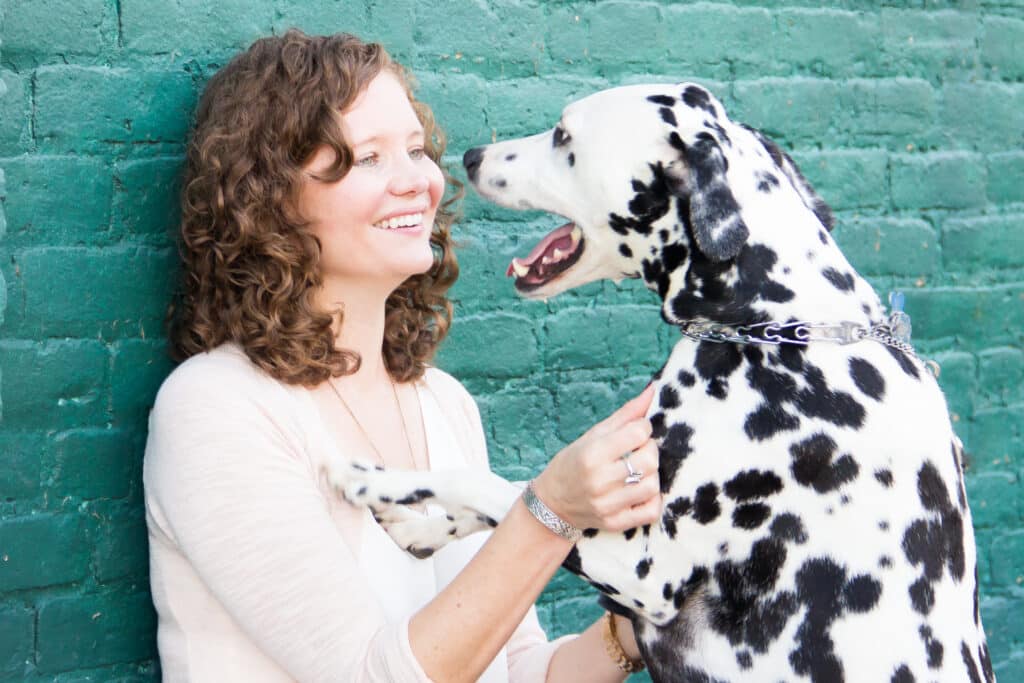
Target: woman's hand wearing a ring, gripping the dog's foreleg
585,484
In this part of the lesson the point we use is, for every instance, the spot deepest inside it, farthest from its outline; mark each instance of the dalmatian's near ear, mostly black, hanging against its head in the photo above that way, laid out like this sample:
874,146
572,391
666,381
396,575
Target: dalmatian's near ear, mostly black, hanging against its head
718,227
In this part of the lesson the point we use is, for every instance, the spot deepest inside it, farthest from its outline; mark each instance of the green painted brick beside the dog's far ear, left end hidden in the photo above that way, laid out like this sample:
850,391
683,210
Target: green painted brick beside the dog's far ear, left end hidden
848,179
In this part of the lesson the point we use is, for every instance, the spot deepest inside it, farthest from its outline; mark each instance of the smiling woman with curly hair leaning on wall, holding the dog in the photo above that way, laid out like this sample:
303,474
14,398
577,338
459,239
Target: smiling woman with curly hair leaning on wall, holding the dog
317,257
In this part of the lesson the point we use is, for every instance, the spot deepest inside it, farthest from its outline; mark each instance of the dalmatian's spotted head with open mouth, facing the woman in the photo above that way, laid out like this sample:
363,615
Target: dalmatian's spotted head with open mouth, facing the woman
651,179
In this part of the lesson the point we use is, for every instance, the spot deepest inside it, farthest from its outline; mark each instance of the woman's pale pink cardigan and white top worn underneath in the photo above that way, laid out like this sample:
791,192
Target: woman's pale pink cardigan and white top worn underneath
260,573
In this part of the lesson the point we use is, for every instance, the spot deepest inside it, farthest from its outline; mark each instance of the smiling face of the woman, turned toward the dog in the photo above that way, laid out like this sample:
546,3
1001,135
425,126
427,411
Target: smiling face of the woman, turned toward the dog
375,224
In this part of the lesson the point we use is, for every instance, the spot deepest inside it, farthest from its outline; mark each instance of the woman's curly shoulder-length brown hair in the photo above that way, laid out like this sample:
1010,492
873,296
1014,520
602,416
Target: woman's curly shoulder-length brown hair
250,265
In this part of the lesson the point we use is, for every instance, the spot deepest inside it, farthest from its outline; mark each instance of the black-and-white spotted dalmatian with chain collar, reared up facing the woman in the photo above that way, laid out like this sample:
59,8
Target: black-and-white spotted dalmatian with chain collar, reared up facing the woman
816,526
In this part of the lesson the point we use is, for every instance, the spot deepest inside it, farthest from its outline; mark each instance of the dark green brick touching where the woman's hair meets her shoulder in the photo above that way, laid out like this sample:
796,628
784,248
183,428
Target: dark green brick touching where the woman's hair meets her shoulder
139,368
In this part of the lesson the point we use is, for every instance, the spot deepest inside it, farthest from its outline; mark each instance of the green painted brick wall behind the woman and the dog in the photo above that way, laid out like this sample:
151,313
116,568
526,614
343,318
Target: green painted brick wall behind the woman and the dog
909,116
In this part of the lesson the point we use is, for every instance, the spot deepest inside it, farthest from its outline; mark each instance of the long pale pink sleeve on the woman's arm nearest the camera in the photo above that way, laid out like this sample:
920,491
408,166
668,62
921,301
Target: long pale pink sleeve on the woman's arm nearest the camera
228,480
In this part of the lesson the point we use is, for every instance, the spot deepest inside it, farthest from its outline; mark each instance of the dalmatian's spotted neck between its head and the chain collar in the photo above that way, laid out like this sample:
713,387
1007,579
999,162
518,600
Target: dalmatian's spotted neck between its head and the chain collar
783,274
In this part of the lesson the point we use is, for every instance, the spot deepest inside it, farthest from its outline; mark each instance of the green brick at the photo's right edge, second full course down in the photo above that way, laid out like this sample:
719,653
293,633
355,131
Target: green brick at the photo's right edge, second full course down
999,106
